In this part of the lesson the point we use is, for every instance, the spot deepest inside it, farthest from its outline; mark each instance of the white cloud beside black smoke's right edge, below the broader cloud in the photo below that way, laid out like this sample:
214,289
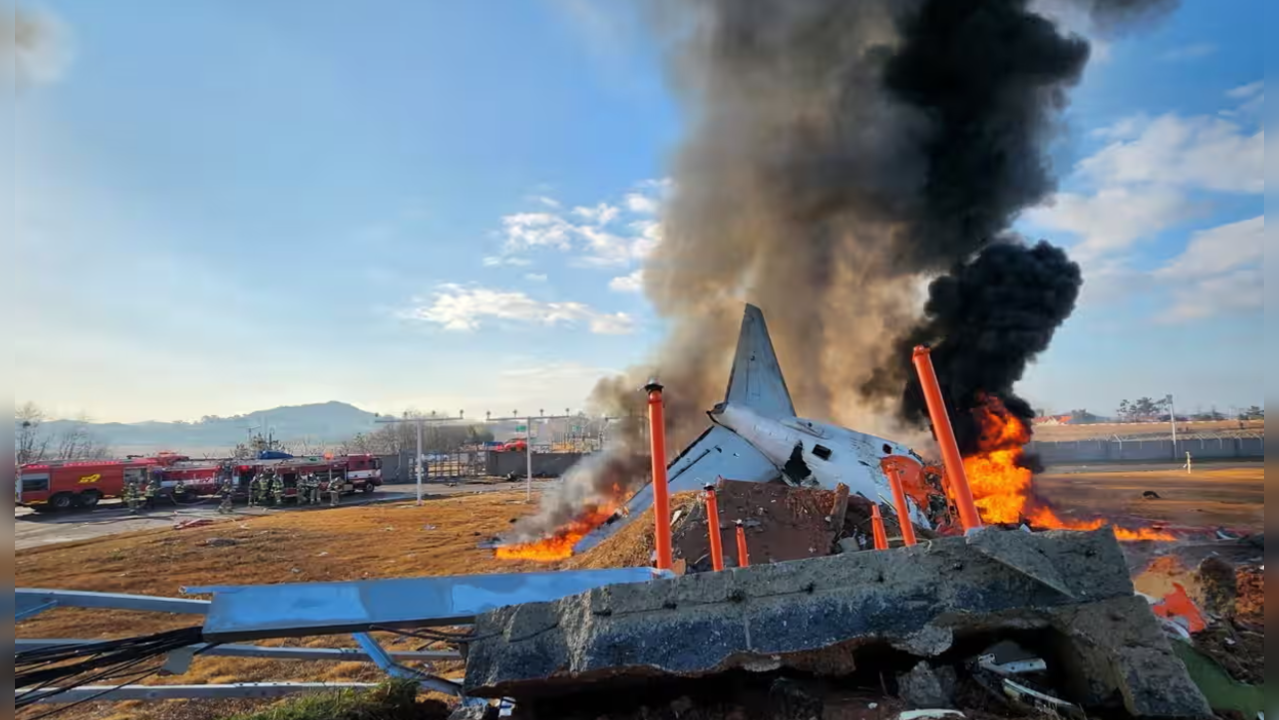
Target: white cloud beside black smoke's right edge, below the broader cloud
1115,218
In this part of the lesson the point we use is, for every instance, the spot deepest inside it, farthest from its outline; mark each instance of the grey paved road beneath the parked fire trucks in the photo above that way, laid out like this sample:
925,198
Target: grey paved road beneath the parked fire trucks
33,530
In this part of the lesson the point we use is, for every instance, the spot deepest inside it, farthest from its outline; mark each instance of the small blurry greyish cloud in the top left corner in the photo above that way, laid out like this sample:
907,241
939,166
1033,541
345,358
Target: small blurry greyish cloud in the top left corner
39,47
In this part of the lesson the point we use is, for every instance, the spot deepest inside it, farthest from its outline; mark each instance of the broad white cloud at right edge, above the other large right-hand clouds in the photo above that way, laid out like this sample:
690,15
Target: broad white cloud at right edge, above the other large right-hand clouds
1193,153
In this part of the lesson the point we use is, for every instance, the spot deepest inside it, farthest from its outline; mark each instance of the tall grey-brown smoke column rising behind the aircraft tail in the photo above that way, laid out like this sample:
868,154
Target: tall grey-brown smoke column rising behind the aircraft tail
842,155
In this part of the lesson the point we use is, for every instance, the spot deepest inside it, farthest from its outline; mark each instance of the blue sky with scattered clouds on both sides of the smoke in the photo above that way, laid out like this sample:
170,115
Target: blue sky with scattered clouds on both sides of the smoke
231,207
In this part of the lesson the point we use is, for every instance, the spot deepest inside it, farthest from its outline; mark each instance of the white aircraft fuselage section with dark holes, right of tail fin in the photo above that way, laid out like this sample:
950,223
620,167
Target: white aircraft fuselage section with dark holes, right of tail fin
832,455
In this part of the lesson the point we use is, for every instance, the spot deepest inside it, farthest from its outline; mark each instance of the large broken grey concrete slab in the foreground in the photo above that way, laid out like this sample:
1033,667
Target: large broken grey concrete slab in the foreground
1066,594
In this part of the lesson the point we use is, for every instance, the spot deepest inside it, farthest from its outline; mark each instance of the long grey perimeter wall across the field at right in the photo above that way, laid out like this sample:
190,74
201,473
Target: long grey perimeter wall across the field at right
1118,450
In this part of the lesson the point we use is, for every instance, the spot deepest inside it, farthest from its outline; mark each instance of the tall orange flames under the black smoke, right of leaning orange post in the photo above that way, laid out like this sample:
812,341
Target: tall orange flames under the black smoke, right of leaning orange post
1003,489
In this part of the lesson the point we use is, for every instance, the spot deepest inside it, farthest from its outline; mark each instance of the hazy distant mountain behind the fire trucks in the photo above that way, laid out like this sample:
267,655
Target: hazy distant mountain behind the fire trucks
323,423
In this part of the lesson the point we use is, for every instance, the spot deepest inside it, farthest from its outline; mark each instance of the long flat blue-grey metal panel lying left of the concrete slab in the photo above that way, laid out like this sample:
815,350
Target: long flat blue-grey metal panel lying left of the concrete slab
305,609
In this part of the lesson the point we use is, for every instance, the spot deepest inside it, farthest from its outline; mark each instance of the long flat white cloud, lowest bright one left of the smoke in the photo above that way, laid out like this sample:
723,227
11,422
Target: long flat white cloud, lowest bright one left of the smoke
466,309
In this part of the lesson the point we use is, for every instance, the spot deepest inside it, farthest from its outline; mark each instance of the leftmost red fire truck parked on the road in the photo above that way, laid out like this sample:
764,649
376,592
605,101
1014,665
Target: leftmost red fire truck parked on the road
62,485
